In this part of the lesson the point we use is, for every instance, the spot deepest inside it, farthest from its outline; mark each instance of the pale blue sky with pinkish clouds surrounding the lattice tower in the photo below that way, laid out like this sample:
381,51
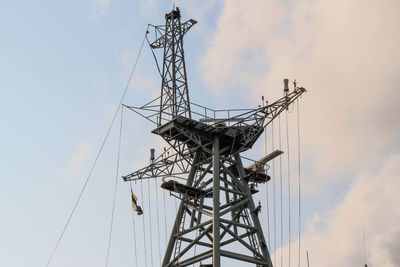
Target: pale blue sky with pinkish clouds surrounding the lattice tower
65,64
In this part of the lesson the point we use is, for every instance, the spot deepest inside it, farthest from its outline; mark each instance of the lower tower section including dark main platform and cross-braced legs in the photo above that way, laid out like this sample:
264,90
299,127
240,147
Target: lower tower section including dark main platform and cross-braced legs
217,216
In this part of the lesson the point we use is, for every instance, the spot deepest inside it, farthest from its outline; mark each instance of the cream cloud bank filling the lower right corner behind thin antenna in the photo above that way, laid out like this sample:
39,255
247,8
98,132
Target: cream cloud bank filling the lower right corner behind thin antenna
336,238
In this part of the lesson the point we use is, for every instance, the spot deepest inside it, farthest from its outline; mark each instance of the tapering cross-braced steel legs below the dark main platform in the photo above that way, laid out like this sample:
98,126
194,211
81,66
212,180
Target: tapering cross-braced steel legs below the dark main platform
208,228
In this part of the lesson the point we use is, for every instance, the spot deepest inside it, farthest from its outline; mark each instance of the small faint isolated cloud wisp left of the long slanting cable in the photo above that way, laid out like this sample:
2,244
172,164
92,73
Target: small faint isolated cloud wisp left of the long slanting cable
78,161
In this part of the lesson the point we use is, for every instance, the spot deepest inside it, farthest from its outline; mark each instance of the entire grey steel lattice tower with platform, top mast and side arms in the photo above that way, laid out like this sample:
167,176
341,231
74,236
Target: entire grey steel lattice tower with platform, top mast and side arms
203,166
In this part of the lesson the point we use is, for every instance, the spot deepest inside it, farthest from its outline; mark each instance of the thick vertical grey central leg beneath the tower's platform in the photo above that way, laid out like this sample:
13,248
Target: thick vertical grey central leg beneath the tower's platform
216,208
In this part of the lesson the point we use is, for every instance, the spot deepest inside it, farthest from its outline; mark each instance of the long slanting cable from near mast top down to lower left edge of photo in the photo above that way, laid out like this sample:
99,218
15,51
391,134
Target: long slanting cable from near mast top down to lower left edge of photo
97,157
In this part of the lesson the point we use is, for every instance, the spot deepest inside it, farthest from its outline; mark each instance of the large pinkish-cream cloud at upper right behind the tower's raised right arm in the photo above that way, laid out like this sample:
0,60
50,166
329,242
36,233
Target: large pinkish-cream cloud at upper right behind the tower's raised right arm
344,52
